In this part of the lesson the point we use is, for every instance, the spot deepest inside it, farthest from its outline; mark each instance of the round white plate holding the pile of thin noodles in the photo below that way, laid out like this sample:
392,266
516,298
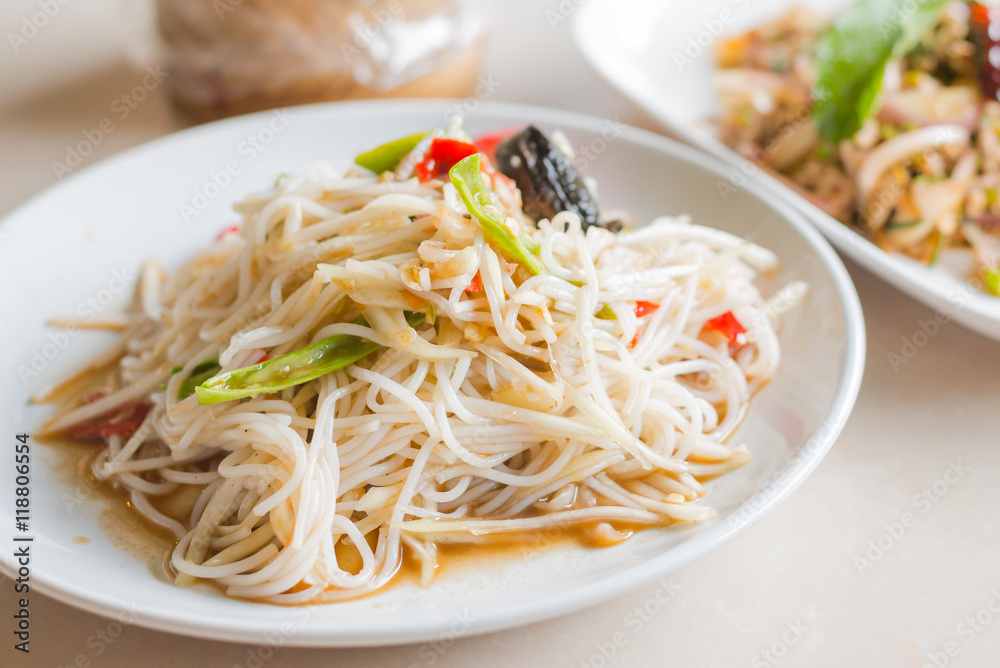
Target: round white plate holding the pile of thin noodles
64,247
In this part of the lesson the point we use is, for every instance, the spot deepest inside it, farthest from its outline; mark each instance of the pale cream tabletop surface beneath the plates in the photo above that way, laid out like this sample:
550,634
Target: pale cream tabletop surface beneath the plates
830,578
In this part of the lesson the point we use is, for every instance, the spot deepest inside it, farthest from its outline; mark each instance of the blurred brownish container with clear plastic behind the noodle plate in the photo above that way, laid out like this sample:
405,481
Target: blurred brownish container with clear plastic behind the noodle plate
229,57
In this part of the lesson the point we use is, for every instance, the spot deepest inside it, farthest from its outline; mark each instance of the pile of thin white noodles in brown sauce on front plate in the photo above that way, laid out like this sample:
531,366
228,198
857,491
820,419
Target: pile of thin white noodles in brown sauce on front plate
514,408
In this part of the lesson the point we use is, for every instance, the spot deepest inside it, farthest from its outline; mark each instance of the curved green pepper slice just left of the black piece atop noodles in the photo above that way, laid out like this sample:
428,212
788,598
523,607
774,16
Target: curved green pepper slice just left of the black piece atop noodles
517,247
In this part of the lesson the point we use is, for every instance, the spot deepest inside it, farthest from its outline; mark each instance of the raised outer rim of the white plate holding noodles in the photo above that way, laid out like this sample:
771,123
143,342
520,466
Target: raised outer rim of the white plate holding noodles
421,629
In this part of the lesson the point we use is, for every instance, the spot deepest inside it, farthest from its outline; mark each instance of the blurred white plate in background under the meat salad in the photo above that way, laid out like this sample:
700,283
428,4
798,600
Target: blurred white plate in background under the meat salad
660,55
